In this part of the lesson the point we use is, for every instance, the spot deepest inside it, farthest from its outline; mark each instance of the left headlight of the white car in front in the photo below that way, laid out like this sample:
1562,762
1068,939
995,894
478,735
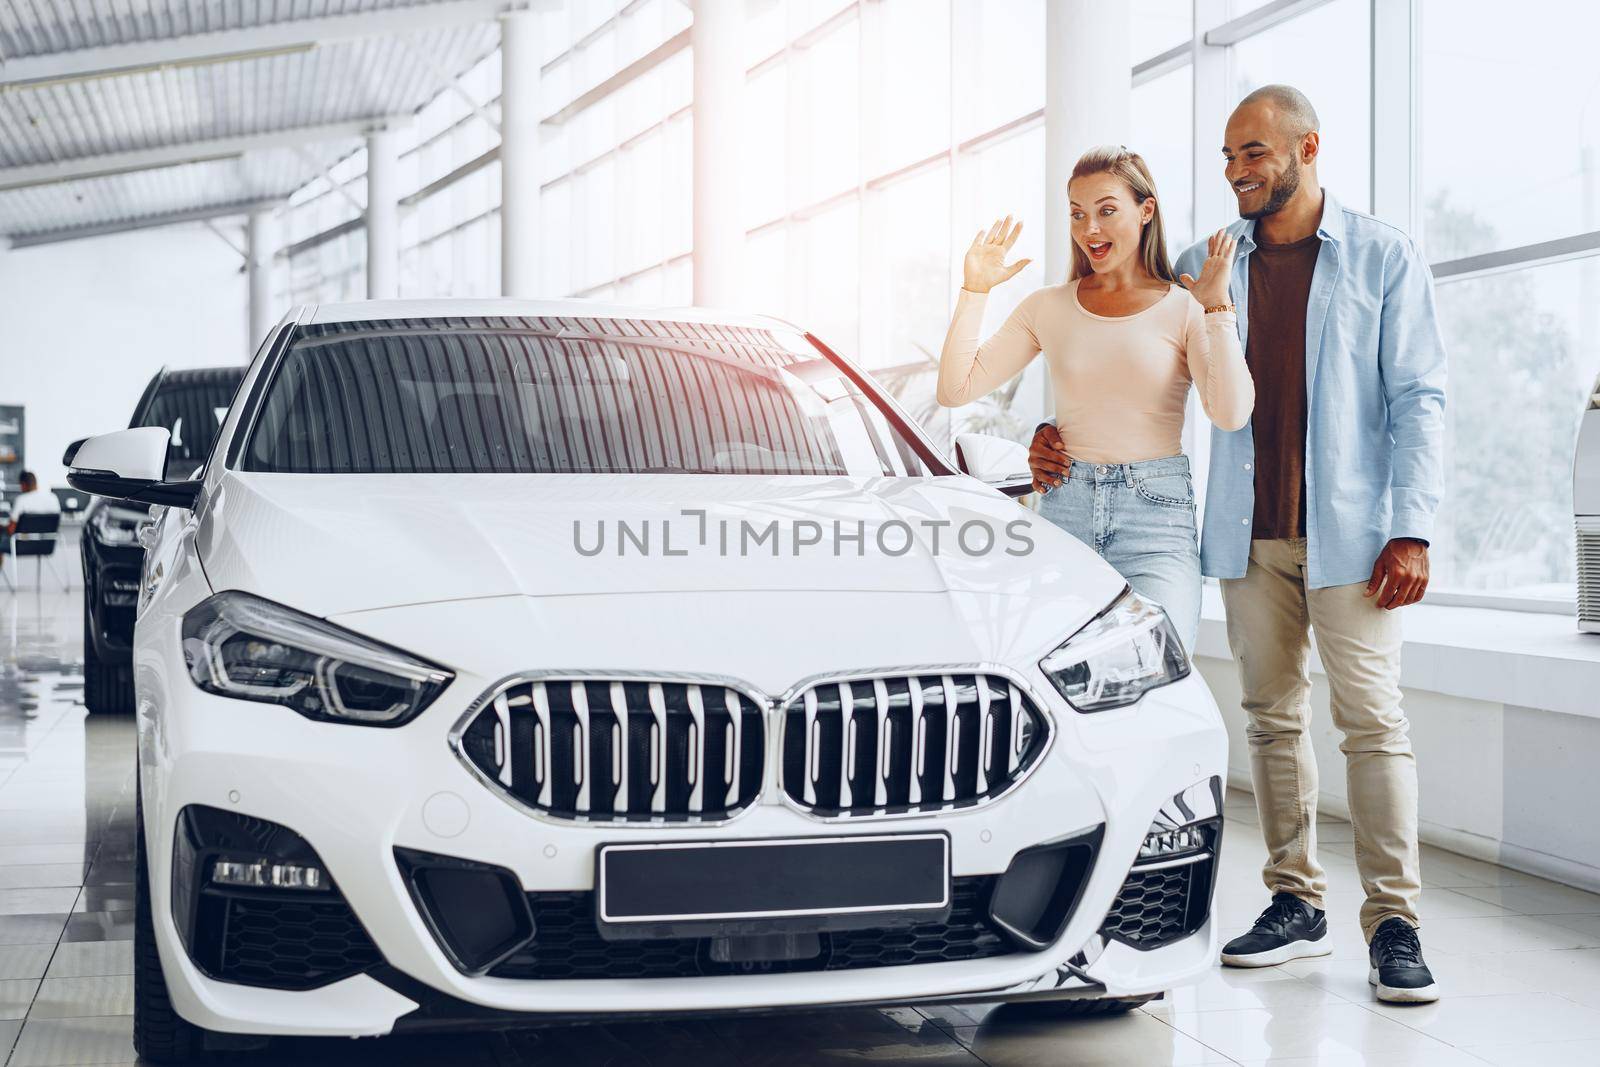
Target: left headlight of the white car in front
254,650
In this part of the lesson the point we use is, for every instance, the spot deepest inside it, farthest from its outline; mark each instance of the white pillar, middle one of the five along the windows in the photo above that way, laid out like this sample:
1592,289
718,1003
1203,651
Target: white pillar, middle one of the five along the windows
519,154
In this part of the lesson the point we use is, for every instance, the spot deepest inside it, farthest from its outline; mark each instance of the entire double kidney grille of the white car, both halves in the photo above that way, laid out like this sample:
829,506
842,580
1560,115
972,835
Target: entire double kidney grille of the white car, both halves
694,749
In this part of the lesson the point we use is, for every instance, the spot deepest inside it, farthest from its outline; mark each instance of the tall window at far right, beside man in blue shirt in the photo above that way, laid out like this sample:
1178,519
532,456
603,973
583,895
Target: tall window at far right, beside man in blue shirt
1521,318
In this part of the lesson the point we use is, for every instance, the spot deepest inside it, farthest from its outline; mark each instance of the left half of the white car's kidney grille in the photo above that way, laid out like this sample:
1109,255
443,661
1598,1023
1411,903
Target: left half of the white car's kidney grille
620,749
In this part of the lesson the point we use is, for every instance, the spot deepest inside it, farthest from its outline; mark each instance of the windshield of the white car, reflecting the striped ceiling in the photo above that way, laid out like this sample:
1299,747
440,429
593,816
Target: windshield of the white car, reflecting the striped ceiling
543,398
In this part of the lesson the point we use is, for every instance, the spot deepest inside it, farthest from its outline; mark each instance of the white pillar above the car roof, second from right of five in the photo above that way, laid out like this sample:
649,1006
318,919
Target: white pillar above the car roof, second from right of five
719,92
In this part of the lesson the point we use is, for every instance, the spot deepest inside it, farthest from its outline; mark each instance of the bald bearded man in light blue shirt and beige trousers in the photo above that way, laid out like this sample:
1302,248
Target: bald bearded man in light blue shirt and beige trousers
1318,518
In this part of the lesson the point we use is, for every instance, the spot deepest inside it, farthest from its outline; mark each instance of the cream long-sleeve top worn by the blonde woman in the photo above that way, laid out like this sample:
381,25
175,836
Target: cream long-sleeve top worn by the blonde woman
1121,382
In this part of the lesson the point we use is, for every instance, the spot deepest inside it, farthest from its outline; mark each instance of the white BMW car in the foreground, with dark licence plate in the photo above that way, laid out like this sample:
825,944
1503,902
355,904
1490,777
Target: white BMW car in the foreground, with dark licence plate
521,663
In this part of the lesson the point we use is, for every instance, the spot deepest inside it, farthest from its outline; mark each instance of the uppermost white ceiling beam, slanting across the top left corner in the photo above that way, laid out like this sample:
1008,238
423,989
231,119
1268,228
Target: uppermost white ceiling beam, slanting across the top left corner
241,44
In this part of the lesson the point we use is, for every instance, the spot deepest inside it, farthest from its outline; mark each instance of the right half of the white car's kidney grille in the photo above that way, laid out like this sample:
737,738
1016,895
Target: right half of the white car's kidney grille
906,745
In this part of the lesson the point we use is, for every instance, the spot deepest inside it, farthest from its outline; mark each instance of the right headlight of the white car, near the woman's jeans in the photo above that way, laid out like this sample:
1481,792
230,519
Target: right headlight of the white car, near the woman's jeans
1124,653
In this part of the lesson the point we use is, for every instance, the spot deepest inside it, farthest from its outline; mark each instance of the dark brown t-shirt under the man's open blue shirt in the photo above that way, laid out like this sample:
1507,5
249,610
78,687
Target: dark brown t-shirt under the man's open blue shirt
1276,353
